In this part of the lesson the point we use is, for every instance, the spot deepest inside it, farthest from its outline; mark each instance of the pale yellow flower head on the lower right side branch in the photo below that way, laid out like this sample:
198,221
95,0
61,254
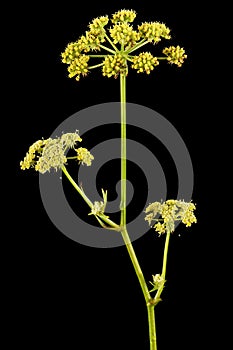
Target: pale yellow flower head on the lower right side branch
170,212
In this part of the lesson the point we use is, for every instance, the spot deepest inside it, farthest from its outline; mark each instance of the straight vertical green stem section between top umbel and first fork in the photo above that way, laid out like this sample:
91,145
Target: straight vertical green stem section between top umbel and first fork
123,150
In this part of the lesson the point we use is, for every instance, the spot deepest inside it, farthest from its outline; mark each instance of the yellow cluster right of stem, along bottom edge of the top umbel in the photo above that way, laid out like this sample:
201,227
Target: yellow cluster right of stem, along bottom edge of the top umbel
145,62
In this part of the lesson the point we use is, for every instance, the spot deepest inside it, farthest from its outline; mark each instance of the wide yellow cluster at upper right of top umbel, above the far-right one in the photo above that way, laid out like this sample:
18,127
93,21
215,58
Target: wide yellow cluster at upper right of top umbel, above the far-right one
154,31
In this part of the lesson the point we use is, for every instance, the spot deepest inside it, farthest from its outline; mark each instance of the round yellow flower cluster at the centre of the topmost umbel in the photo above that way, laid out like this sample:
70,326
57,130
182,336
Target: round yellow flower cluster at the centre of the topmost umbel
123,34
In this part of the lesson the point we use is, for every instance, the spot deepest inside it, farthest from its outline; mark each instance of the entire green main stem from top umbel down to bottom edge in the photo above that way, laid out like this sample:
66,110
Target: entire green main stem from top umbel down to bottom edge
125,236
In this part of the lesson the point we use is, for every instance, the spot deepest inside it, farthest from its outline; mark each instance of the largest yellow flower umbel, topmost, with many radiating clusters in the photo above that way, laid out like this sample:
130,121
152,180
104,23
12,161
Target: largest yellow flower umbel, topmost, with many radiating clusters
123,40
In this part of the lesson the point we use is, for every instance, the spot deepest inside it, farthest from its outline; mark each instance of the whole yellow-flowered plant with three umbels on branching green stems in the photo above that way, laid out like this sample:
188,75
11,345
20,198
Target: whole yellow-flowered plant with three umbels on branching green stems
115,48
